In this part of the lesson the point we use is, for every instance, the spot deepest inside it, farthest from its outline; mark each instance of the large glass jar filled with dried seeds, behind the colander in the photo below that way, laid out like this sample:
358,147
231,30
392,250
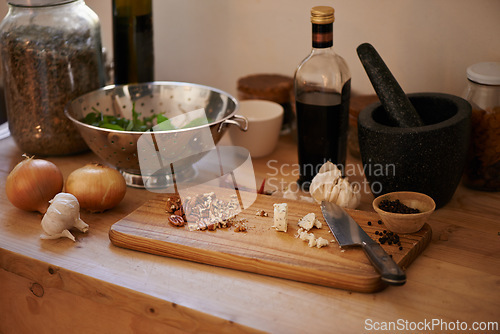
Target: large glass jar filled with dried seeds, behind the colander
51,53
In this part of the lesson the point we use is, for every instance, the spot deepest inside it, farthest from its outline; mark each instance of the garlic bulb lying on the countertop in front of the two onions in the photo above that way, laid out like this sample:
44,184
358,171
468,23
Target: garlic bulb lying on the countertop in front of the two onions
62,215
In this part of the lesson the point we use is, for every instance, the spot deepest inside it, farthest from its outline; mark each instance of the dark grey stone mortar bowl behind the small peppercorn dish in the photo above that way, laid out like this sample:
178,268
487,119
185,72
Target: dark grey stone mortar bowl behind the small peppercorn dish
427,159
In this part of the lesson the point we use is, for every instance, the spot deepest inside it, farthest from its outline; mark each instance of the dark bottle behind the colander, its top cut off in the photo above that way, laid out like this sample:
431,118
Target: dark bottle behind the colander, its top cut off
133,41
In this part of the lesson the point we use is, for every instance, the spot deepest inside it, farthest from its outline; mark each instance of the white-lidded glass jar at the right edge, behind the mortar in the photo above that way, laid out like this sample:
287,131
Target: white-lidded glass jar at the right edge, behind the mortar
482,170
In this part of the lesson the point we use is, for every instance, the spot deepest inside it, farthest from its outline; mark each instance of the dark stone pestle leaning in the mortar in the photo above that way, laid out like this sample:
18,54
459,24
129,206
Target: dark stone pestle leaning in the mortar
398,108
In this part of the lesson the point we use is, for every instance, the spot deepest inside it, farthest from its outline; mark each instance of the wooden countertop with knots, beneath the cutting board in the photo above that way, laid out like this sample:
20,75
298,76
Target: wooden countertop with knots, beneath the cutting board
92,286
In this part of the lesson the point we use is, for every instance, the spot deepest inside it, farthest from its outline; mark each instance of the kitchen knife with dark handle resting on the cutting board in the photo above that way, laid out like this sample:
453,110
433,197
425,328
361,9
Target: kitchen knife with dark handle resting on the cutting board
349,233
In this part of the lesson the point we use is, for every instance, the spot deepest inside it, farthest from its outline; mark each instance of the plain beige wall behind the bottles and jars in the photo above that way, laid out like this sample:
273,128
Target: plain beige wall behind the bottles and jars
427,44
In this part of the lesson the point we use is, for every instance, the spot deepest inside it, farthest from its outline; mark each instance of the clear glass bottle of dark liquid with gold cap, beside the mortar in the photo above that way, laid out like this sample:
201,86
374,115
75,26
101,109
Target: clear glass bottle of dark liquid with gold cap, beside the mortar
322,87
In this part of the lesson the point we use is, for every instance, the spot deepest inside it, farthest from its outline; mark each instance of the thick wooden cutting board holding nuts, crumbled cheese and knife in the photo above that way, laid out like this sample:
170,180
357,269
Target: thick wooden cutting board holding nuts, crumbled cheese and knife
263,250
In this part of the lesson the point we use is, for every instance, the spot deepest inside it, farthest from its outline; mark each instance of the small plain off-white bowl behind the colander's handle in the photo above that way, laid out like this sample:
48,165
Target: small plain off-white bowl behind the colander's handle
264,124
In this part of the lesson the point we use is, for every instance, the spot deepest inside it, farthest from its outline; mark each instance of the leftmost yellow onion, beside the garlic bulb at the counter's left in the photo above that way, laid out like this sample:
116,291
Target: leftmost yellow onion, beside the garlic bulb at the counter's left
33,183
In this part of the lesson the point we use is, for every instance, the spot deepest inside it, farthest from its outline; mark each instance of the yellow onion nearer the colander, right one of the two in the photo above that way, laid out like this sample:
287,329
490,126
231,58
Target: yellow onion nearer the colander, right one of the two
97,187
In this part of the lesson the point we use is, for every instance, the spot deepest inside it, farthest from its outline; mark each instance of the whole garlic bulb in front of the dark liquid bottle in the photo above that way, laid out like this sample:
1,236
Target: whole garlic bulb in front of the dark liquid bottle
328,185
